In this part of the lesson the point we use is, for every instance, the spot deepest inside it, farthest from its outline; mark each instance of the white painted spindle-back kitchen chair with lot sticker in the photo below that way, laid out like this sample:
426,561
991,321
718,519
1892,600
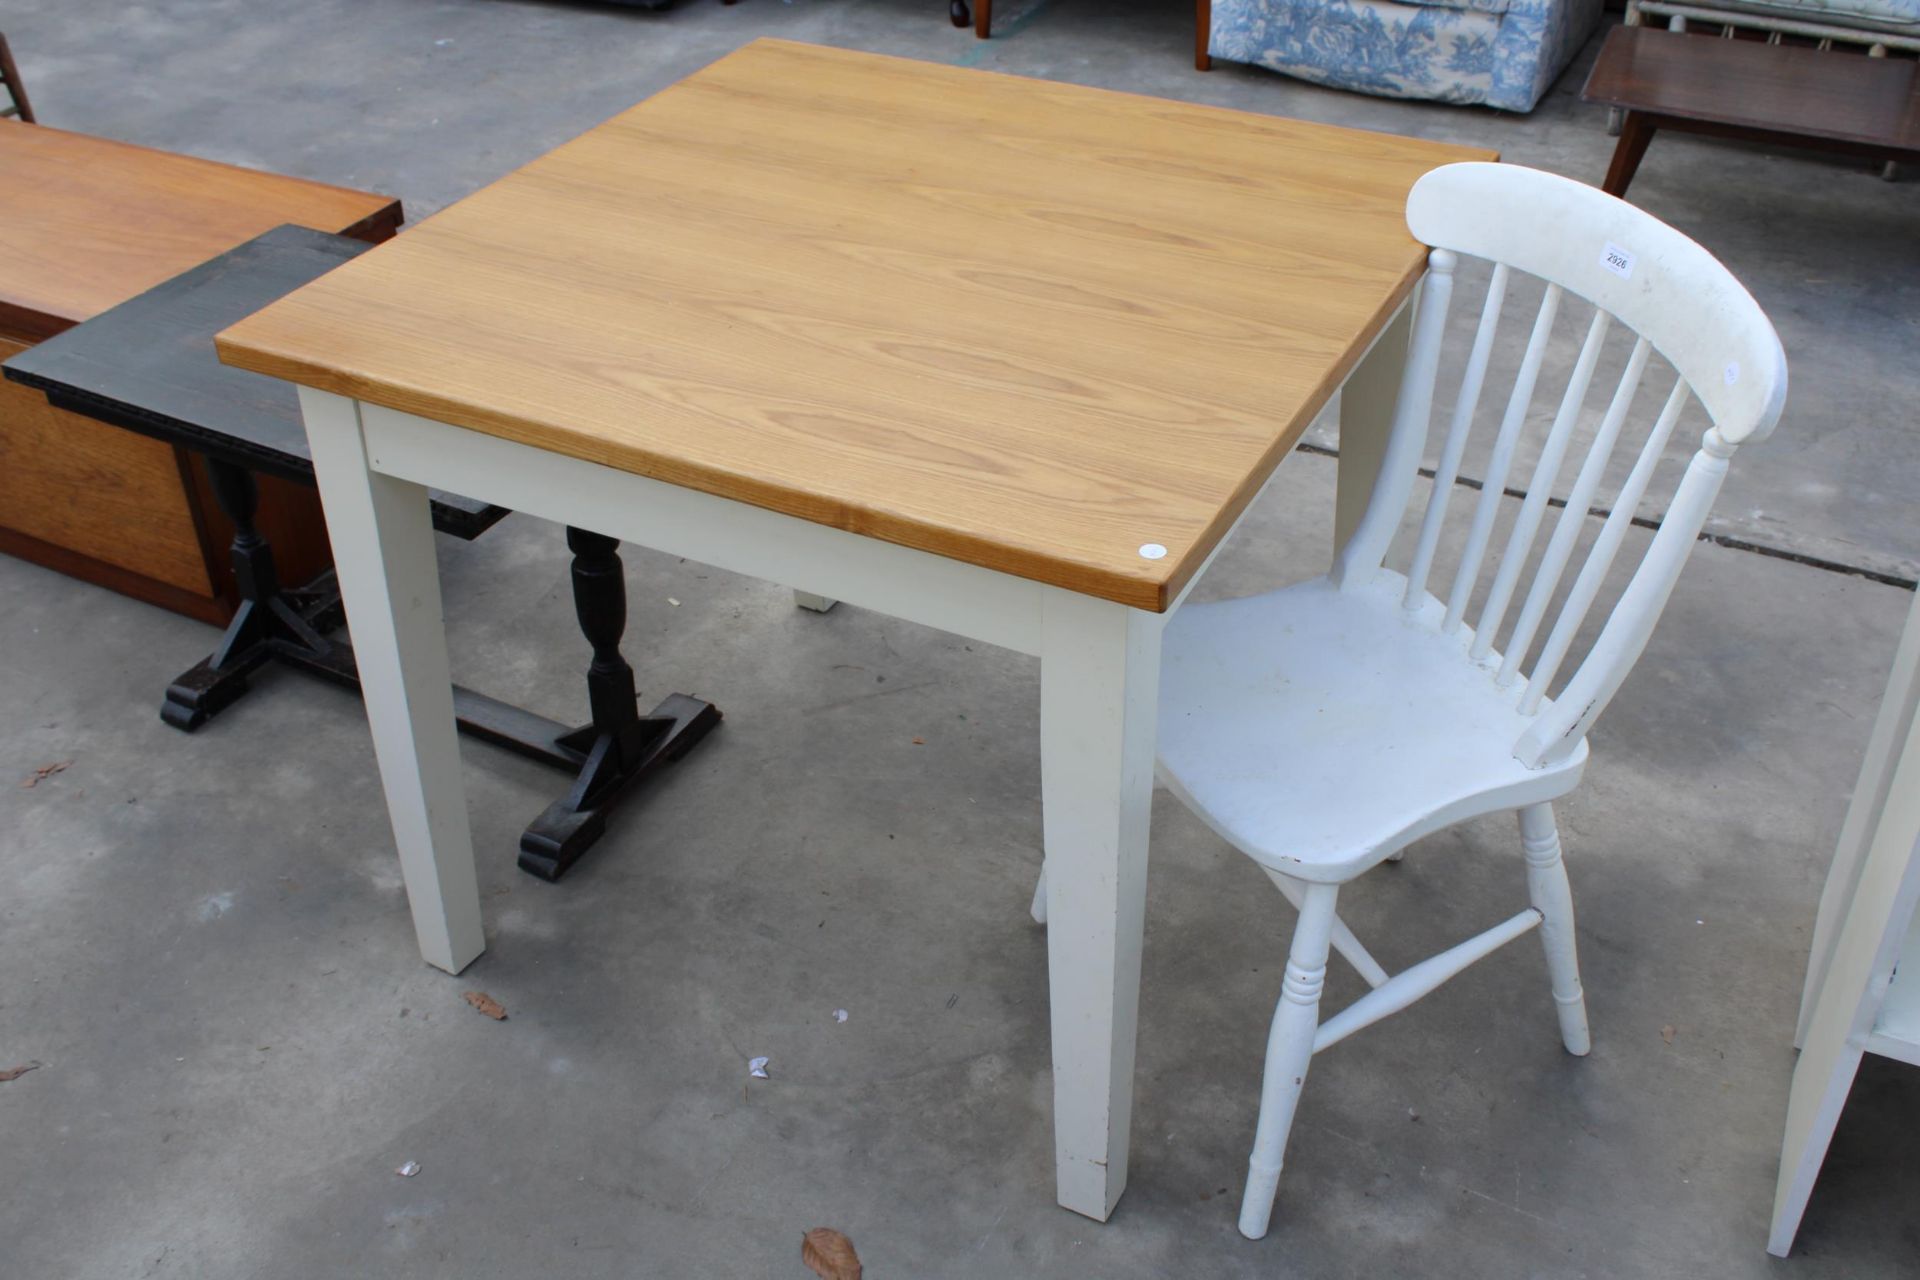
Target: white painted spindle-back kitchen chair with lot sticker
1328,726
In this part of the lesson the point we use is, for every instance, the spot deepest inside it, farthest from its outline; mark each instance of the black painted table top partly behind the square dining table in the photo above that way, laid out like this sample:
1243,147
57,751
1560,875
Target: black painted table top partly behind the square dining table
149,366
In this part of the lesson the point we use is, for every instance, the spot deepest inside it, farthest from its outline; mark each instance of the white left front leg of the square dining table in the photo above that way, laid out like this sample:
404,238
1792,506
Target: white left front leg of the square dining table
383,542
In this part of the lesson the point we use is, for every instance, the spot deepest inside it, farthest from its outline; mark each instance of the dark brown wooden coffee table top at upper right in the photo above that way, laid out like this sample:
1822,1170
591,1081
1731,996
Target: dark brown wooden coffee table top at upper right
1756,85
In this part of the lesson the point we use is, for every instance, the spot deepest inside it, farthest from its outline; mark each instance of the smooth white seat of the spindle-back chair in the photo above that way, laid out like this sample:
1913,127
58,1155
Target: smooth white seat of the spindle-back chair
1324,730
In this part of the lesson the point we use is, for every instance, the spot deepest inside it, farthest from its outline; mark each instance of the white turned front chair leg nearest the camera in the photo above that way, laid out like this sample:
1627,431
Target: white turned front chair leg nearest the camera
1289,1055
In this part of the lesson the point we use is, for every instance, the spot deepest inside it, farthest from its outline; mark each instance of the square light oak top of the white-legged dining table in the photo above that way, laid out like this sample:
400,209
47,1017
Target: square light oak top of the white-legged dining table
1017,323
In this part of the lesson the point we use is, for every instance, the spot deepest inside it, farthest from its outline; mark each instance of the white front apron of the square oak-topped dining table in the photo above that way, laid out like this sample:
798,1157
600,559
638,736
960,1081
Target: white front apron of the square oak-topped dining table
903,582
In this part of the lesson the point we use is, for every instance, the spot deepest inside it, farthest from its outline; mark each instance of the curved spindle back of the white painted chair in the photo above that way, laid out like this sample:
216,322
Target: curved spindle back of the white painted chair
1677,304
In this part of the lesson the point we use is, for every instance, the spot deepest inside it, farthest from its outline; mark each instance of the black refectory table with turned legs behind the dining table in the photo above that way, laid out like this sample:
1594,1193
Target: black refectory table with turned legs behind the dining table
149,367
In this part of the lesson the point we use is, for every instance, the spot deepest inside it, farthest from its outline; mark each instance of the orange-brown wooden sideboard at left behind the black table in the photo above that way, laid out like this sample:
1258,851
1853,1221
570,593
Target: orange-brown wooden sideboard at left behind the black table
87,224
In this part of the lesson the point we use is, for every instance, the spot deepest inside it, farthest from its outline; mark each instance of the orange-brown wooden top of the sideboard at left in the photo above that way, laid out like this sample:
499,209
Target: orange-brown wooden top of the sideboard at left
87,224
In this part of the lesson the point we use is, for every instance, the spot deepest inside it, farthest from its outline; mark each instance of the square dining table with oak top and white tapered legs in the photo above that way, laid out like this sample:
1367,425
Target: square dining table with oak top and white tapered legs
997,356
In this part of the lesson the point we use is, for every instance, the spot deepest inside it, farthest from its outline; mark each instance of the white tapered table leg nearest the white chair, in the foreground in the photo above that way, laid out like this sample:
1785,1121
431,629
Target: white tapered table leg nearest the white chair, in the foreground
1099,699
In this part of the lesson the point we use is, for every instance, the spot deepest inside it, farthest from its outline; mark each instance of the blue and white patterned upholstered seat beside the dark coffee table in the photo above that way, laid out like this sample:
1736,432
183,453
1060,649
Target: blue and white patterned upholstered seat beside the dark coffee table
1495,53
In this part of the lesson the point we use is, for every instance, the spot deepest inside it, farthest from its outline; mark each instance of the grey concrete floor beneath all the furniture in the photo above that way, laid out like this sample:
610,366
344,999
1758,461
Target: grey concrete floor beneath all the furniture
206,943
